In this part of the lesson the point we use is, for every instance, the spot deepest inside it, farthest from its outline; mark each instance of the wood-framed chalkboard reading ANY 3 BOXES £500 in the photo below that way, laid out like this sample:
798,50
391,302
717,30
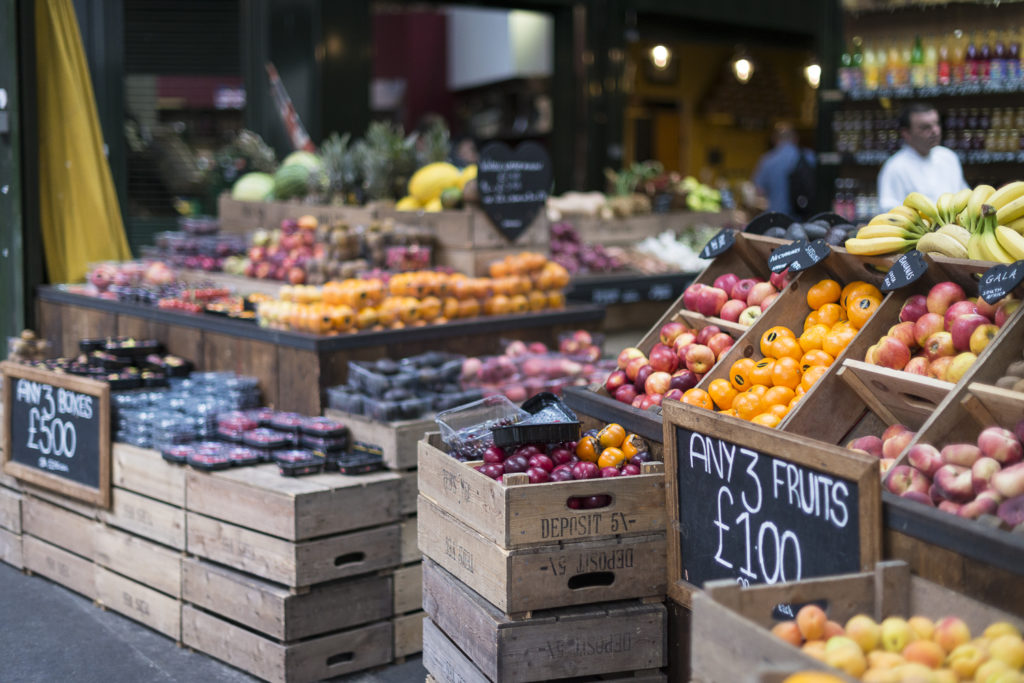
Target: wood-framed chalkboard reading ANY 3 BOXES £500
58,433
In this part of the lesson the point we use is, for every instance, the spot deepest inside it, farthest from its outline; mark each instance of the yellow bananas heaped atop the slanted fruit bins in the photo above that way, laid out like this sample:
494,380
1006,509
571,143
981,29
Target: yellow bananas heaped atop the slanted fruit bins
985,225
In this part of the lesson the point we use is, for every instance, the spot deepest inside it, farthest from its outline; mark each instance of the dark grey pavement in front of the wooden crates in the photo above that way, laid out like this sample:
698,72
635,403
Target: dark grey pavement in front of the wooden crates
49,634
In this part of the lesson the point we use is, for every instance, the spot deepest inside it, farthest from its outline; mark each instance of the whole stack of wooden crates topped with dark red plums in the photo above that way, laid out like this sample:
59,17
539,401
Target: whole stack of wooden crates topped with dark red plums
519,586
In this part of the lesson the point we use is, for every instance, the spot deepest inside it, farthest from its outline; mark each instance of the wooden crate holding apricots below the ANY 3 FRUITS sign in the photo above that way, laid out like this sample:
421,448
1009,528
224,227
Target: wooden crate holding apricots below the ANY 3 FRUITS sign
732,638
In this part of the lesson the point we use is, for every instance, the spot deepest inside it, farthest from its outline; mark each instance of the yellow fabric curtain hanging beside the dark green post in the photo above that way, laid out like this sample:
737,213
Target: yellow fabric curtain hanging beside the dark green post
81,220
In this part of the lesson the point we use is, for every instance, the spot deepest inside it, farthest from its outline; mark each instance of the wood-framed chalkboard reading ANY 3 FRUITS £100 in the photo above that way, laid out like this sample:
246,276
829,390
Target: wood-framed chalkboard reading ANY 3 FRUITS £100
760,506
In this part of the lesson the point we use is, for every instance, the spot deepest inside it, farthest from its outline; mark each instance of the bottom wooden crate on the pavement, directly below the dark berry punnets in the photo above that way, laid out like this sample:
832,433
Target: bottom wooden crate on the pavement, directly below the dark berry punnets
312,660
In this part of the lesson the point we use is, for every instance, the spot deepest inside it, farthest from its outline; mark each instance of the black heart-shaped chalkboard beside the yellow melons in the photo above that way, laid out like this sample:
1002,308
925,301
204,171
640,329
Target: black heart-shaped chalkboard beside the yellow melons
514,186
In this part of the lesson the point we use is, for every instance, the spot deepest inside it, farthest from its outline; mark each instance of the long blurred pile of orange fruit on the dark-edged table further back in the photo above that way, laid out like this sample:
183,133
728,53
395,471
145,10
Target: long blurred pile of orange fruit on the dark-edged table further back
520,284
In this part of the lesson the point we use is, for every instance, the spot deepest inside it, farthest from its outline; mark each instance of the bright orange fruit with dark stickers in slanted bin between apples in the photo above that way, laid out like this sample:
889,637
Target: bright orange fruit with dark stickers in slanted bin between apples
765,391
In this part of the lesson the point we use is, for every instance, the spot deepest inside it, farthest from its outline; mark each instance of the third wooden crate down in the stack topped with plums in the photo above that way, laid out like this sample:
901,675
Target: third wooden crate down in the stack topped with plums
556,645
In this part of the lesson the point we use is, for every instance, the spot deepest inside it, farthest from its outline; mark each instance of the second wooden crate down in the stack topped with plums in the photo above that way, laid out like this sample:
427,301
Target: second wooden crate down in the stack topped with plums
571,573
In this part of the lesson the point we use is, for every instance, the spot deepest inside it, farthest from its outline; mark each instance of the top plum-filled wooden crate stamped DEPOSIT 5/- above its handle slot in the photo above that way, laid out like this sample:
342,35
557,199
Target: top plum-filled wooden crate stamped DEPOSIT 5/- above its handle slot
520,517
